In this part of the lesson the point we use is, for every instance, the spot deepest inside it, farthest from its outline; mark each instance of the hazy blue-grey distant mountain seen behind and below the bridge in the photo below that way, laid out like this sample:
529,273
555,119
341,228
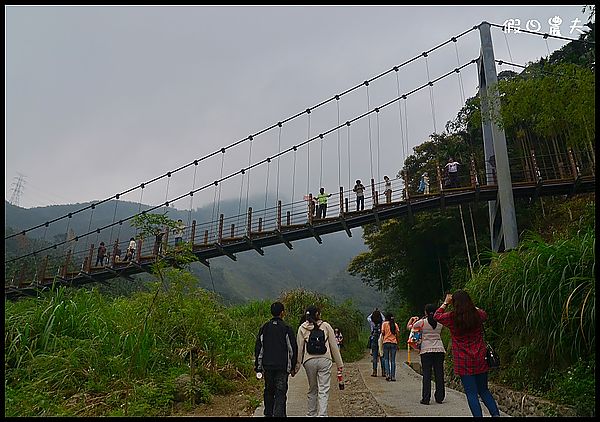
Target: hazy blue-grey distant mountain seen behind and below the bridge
319,267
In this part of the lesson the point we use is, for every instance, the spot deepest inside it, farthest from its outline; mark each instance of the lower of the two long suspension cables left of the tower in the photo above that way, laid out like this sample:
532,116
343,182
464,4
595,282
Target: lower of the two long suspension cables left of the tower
306,142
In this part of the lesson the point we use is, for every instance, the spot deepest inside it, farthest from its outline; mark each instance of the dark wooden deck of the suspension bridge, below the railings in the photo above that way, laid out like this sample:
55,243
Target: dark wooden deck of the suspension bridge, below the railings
288,234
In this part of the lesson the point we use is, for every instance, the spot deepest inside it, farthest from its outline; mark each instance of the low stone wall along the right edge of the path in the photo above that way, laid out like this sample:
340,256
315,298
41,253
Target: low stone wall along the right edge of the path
513,403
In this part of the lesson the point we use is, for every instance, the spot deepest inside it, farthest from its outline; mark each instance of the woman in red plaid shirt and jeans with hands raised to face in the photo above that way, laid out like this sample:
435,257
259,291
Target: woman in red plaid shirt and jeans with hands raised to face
468,349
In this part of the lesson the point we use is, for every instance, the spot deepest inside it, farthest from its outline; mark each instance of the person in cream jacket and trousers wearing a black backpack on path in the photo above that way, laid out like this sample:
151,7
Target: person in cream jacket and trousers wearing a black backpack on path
317,362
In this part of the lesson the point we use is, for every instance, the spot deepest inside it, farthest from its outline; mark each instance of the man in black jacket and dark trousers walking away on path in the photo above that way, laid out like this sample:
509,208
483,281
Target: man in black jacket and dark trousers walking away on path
275,356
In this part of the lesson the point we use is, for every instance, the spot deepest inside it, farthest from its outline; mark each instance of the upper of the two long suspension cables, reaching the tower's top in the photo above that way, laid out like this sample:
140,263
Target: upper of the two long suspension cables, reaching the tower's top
238,142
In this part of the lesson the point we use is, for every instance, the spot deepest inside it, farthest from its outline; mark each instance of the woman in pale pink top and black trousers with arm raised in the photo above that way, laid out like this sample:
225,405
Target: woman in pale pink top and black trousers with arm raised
432,353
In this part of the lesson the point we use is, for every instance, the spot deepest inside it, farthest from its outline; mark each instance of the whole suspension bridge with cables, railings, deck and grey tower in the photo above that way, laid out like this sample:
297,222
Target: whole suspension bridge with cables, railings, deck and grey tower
495,178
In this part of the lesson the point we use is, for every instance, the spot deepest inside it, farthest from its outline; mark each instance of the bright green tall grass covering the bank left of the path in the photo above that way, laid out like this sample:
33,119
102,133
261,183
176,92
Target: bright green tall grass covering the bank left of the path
77,353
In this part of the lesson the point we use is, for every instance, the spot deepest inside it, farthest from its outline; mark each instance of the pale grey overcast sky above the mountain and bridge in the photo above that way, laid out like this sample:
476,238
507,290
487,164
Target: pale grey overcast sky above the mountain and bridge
100,99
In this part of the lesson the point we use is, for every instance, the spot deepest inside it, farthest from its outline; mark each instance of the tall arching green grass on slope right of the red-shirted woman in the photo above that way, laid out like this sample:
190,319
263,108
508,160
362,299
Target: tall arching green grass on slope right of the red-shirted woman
542,296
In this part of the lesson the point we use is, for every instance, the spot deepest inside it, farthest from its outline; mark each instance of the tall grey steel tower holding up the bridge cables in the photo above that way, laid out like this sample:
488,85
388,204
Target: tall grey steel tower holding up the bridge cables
503,221
